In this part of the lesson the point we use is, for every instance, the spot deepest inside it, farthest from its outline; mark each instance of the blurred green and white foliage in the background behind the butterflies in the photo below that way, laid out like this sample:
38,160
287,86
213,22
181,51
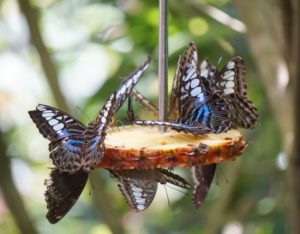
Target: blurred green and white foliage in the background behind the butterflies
126,32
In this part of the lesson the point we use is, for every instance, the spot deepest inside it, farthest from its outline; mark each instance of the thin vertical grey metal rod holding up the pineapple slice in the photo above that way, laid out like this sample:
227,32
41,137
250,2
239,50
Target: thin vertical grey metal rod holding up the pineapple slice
163,61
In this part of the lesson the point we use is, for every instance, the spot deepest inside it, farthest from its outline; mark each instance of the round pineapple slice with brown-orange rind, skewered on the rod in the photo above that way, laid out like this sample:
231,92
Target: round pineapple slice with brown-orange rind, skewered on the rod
141,147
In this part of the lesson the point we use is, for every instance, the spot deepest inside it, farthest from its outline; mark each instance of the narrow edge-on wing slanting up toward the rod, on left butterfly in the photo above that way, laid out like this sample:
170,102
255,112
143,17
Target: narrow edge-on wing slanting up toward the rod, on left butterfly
95,134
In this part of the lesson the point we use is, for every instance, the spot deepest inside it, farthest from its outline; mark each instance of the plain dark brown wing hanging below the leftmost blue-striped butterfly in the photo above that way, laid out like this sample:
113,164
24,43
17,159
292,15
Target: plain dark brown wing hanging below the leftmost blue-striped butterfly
63,190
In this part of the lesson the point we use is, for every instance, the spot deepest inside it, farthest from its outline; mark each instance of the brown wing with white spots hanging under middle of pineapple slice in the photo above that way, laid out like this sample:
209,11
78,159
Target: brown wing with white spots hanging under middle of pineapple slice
137,186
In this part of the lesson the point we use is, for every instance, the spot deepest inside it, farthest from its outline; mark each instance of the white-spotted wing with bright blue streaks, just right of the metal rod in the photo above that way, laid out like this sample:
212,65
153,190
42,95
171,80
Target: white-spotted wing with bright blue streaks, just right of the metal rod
200,104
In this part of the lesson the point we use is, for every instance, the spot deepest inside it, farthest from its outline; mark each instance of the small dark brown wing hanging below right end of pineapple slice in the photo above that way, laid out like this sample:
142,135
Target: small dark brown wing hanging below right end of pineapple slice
203,177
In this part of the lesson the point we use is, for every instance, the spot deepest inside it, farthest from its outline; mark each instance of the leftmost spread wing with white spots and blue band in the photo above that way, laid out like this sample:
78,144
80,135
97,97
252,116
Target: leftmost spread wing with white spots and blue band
65,134
